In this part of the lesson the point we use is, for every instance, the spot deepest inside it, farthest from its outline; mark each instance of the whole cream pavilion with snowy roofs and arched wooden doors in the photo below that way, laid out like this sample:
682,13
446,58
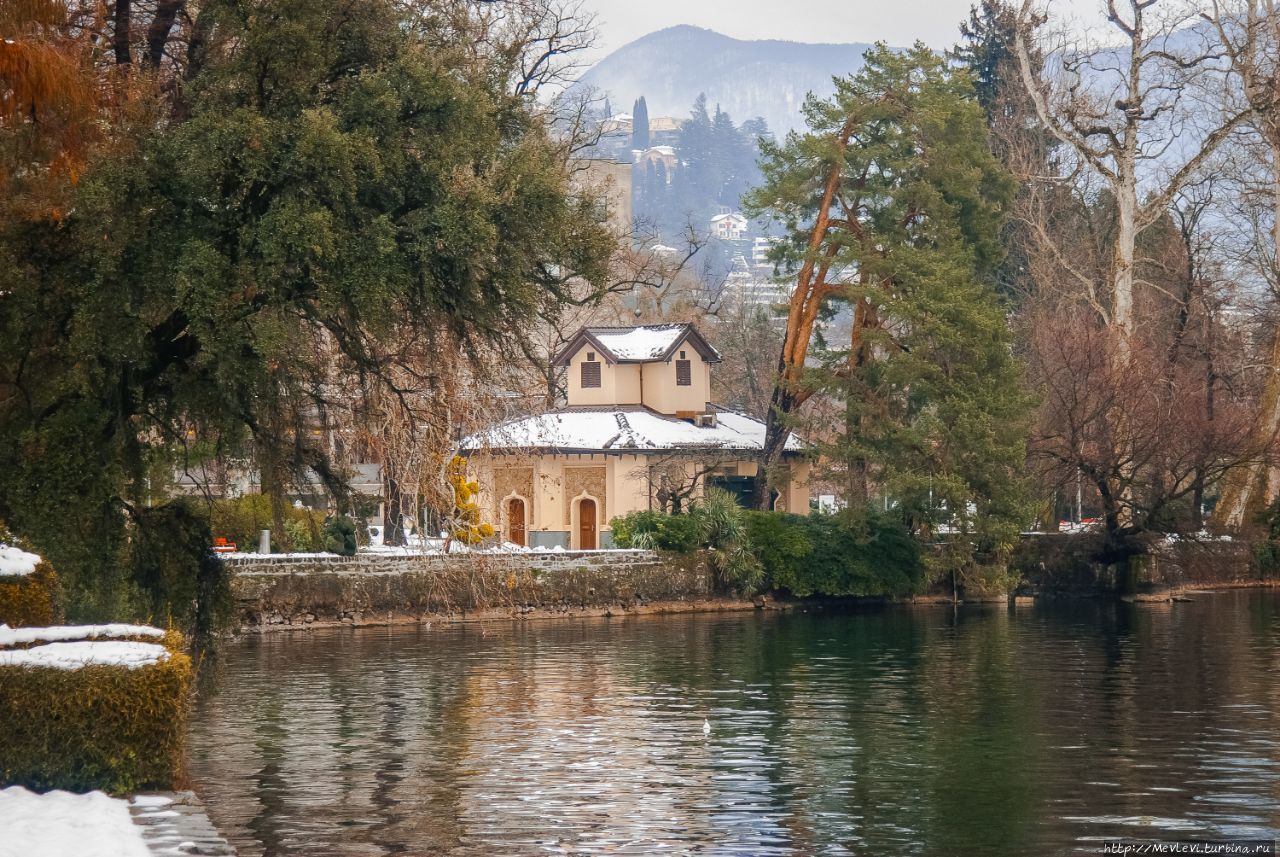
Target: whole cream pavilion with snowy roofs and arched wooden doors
638,430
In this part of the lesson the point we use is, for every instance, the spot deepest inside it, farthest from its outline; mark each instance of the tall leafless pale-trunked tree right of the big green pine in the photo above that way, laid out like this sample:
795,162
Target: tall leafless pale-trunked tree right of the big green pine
1145,118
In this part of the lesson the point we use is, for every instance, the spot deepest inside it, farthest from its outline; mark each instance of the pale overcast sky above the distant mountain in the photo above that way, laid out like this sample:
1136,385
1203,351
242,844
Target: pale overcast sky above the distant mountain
898,22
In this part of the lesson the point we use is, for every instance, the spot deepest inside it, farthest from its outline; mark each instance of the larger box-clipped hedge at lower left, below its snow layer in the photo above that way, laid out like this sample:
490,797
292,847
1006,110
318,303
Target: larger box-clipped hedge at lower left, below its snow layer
109,728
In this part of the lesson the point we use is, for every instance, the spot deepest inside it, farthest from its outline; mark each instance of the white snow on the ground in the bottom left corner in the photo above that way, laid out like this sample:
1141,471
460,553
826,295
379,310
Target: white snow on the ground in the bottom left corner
61,824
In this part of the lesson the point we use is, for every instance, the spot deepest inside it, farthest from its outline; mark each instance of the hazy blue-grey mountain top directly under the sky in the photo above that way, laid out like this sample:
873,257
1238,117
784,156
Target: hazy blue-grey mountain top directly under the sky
747,79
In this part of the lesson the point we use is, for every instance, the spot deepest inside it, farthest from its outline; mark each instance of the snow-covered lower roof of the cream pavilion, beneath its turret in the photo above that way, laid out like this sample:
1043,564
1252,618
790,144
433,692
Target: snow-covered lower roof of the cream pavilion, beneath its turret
636,430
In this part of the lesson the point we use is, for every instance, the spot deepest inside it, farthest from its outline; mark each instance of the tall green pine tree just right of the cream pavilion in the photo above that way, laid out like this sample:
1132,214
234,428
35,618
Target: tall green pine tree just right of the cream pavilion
935,414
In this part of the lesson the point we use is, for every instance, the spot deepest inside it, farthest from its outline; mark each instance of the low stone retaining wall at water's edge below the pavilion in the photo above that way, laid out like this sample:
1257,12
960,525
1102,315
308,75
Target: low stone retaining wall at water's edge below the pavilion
277,593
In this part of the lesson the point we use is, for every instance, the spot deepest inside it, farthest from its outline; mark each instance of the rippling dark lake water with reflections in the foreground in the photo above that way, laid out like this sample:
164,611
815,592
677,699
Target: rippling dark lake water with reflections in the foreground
930,731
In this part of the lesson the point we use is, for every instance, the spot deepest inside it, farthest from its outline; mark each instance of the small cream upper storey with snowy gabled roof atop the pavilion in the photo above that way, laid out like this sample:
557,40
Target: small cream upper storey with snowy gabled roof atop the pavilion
665,368
